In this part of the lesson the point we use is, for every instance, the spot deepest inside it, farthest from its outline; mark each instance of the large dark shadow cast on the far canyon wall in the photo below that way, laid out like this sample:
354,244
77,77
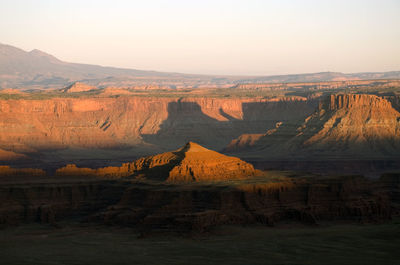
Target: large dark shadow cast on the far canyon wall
187,122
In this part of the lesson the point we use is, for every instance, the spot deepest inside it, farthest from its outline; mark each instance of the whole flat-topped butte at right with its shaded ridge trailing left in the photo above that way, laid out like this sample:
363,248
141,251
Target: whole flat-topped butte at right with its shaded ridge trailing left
344,126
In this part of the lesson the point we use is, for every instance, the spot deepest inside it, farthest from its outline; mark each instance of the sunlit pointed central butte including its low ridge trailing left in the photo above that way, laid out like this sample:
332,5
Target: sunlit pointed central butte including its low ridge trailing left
190,163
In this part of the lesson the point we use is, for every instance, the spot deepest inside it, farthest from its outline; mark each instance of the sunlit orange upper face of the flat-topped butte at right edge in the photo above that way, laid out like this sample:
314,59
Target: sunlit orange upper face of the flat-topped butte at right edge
363,120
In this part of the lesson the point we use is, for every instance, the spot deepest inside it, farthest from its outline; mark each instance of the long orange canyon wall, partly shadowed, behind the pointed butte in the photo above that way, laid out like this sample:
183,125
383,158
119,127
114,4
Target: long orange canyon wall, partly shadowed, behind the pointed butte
144,124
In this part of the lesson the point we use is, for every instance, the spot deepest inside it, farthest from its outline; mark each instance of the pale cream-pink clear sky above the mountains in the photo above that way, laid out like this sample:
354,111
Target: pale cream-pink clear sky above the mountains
211,36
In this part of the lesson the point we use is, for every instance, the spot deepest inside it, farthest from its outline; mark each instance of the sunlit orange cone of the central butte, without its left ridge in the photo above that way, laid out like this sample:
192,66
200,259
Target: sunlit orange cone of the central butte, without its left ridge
201,164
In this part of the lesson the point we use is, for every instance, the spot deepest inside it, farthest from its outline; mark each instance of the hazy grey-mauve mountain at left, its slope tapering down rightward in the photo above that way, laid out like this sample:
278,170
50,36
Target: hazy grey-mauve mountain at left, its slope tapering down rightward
36,68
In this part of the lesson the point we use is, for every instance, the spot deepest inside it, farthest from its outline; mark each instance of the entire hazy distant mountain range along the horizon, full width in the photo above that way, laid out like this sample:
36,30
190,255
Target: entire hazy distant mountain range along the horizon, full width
37,69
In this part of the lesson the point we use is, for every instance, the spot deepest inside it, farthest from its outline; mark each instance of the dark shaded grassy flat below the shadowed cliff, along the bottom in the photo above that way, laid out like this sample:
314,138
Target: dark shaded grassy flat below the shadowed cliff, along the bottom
76,244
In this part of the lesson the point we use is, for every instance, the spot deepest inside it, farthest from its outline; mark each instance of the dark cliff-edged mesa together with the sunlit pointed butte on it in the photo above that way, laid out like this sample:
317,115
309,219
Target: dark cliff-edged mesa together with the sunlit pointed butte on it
191,189
